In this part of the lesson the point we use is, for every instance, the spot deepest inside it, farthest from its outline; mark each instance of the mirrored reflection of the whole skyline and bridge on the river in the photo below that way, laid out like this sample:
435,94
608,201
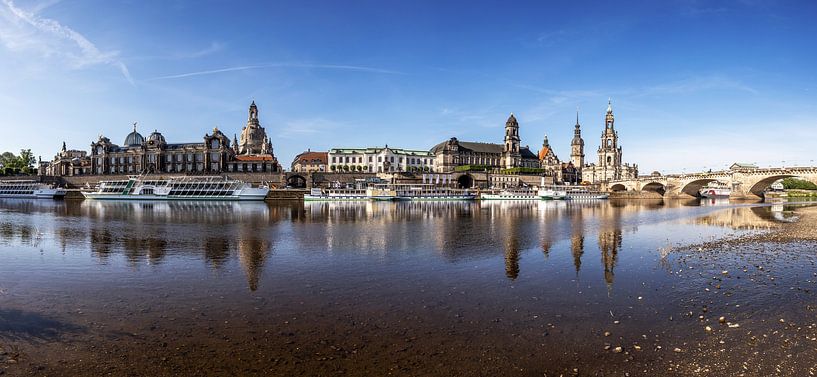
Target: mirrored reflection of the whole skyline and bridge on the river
148,233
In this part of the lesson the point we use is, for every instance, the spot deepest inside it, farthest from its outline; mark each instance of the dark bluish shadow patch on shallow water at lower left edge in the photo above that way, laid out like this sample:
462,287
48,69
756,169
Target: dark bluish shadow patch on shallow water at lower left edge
30,326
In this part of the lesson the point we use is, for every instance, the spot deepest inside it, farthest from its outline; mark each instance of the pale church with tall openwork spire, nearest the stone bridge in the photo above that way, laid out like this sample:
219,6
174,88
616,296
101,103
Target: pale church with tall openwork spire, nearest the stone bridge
609,165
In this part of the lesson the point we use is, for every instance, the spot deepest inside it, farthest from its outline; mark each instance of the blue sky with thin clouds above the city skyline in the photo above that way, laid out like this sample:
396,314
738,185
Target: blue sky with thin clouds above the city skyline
695,84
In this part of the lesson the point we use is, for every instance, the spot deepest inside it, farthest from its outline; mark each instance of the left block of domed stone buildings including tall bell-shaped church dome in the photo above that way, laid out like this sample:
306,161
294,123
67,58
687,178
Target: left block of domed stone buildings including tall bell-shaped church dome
153,154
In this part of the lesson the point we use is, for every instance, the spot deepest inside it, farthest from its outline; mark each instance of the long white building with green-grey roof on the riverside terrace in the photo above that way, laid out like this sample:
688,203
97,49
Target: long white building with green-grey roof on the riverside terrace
380,160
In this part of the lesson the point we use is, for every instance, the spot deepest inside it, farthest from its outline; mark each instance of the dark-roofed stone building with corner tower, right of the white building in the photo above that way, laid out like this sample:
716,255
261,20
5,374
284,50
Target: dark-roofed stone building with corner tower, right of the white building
452,153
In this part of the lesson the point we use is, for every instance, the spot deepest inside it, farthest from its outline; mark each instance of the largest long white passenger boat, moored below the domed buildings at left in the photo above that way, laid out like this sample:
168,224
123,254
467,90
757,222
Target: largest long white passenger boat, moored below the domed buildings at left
177,188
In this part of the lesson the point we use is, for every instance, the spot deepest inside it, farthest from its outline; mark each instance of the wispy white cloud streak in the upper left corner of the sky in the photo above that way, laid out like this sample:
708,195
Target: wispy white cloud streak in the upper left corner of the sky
28,31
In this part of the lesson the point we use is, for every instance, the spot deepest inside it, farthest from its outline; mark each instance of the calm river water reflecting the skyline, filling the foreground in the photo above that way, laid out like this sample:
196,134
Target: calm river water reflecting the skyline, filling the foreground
449,288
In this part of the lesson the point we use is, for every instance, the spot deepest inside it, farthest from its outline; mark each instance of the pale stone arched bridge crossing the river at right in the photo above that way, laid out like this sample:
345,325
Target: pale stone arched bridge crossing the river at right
745,183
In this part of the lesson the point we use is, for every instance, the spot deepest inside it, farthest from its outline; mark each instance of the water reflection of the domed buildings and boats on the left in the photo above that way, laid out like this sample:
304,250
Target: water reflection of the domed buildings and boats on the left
149,232
